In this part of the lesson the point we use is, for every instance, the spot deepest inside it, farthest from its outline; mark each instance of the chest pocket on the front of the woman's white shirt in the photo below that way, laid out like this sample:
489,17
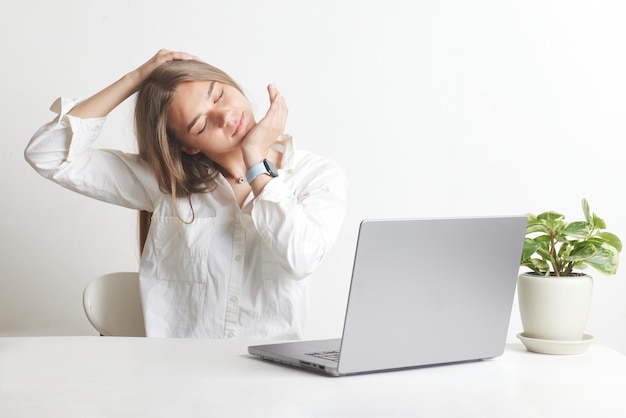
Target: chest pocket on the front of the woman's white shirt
181,250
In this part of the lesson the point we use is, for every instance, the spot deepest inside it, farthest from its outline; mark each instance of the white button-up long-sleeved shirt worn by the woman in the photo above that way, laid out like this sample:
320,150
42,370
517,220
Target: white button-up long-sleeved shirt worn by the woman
232,272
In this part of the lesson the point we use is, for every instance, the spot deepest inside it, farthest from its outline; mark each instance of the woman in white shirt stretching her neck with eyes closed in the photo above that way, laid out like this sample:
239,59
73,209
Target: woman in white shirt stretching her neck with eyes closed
240,218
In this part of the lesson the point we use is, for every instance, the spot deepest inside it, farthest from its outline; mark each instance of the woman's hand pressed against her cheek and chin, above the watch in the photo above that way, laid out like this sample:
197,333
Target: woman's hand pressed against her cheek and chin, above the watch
267,131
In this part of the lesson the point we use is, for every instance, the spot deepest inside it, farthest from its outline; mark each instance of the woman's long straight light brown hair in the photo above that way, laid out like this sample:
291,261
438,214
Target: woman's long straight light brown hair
176,172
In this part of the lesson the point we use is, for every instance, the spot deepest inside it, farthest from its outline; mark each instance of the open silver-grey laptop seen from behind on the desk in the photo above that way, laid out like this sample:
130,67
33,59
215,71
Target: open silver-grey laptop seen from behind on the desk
423,292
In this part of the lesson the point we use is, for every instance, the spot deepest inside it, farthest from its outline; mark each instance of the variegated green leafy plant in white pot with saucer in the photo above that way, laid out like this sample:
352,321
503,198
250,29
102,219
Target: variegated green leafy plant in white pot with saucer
555,295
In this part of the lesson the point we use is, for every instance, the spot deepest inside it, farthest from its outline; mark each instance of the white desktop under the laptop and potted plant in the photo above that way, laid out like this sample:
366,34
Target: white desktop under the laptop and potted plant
136,377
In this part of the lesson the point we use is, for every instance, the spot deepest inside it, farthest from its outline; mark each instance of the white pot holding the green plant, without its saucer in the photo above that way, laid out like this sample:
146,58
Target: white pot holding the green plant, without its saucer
554,308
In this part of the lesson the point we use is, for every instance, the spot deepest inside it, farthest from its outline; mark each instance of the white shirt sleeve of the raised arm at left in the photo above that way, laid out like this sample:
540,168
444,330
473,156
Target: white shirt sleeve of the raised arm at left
62,151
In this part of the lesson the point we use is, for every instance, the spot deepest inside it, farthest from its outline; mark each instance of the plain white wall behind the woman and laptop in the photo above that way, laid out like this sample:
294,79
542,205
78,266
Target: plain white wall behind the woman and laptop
434,108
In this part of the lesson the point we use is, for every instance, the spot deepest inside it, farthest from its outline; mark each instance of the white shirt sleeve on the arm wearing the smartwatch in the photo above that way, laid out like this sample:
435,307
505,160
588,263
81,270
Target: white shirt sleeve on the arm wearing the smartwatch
299,214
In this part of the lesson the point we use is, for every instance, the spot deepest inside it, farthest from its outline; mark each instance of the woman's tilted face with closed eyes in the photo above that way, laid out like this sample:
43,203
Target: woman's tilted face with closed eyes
210,117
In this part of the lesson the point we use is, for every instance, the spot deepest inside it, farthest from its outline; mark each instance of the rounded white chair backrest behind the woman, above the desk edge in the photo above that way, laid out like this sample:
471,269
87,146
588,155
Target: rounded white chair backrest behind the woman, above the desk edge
113,306
